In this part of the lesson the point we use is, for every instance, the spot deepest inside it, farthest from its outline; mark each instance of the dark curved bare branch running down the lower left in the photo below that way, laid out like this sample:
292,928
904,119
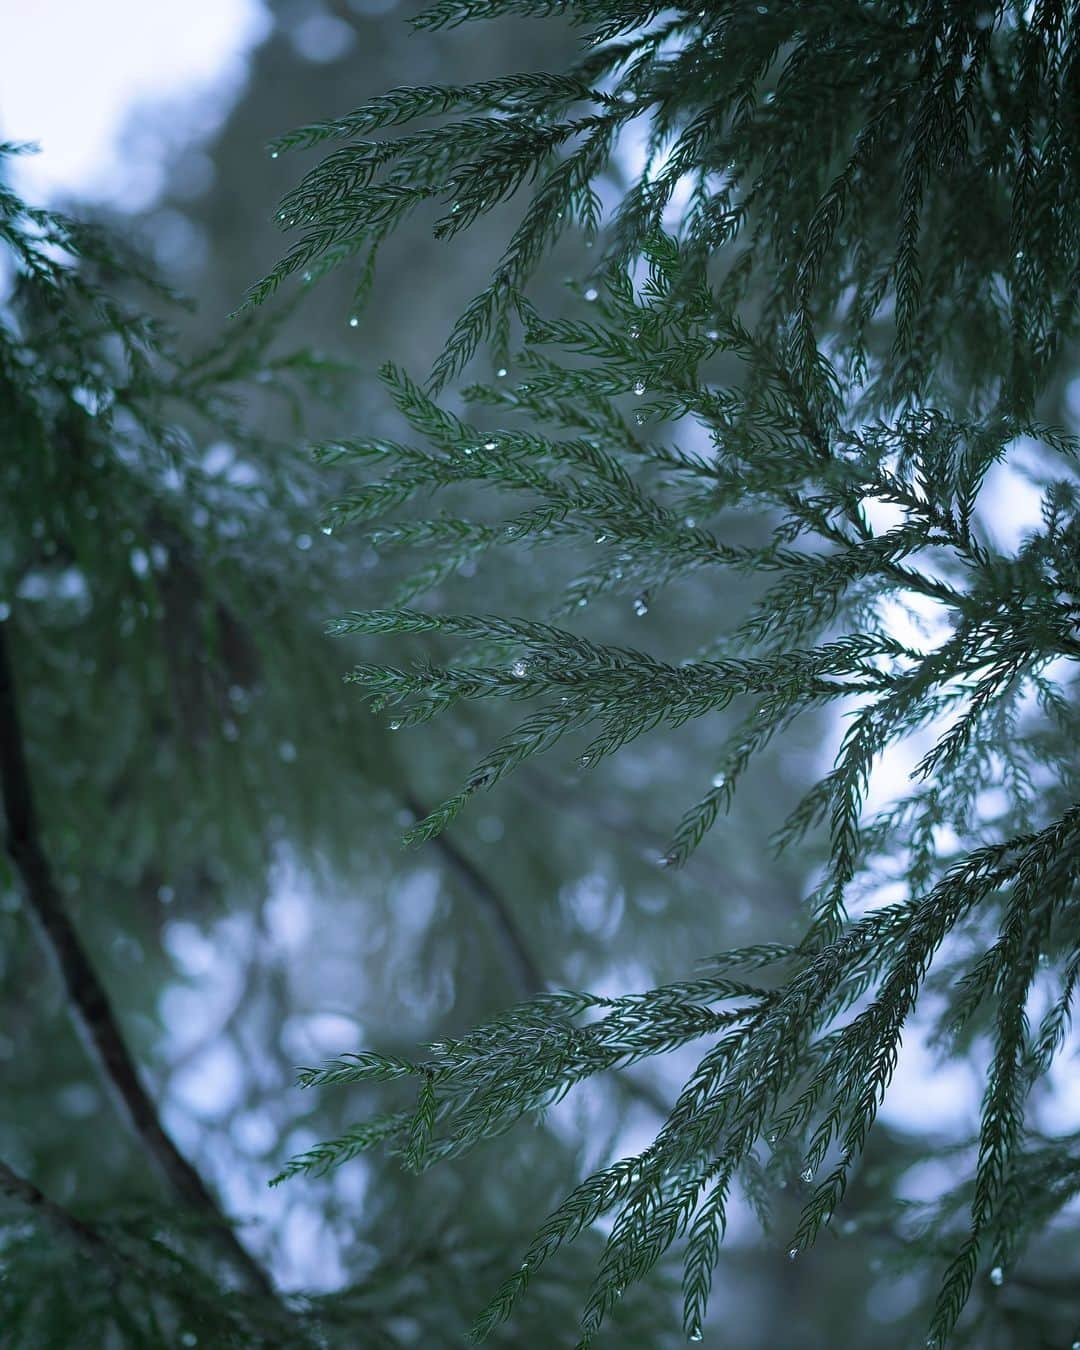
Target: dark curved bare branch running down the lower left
87,998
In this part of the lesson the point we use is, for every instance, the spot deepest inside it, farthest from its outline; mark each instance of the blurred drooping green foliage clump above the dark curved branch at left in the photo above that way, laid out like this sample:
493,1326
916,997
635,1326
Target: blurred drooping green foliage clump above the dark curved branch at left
152,527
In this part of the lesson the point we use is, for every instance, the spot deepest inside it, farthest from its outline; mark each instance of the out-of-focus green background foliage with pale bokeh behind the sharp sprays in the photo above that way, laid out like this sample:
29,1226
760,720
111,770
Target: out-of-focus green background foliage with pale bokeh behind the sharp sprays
222,812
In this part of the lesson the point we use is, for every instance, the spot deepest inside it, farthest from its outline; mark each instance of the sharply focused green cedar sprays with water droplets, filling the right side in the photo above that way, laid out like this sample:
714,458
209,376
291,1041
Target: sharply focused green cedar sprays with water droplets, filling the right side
840,295
